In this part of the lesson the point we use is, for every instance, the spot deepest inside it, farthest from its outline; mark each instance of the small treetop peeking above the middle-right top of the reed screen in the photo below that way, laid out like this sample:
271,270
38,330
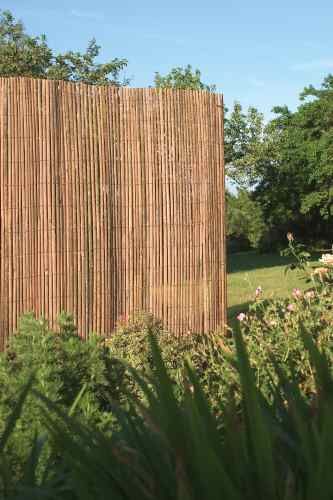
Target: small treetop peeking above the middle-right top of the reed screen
182,78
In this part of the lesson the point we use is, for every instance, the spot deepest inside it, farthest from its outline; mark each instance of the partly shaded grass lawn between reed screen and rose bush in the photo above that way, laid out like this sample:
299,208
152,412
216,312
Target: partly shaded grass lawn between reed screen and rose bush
248,270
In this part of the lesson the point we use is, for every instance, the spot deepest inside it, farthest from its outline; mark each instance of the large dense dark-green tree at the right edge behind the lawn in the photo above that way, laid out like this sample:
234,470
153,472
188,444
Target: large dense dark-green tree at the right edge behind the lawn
295,188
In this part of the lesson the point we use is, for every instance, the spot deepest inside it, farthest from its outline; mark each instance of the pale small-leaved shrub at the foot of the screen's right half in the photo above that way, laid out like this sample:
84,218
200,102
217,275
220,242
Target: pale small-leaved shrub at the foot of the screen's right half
207,354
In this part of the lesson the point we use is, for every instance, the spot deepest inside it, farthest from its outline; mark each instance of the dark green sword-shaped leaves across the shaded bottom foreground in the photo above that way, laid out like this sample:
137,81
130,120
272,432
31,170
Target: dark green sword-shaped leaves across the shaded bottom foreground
281,448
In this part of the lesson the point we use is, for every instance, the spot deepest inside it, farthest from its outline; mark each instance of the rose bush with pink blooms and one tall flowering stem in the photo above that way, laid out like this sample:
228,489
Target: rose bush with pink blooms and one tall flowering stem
271,327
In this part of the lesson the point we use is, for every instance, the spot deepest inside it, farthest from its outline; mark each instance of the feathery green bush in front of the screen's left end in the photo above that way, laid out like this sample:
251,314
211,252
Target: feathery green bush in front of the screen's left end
62,364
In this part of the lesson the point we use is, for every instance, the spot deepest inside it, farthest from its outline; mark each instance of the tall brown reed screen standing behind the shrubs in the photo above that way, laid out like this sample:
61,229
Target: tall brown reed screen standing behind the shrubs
111,201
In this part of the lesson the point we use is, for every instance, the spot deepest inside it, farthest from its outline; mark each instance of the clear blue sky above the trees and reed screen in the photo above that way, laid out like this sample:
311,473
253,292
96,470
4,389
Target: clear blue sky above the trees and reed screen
258,52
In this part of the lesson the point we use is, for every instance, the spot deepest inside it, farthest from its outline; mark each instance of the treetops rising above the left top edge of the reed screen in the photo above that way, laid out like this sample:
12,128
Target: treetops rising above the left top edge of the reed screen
25,55
